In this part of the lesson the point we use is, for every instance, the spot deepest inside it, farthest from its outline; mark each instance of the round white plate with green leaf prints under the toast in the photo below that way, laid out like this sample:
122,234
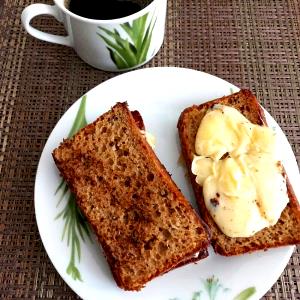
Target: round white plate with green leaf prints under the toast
160,94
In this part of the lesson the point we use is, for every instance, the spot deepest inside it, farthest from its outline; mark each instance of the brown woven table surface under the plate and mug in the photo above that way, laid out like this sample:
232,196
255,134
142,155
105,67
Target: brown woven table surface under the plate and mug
252,44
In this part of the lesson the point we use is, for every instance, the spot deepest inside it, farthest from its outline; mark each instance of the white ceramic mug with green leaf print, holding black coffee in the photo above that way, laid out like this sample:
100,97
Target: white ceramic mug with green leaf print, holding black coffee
111,45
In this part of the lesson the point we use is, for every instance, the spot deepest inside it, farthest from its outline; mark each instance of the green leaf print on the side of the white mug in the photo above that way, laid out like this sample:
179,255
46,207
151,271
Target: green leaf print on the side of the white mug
133,50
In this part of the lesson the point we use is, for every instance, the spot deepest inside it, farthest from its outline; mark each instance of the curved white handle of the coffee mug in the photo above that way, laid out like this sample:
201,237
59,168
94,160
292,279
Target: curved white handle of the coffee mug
37,9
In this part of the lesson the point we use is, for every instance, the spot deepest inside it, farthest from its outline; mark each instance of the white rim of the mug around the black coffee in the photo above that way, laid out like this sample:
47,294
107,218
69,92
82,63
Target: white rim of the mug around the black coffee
125,19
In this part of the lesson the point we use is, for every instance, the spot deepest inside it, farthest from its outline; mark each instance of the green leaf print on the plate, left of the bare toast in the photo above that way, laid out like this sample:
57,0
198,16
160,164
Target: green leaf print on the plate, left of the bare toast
76,228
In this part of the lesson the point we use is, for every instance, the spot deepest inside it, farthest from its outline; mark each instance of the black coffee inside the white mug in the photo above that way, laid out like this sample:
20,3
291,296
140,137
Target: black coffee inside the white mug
103,9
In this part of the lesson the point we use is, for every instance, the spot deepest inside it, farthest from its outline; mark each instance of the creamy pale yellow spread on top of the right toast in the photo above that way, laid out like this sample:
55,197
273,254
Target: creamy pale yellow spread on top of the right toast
238,166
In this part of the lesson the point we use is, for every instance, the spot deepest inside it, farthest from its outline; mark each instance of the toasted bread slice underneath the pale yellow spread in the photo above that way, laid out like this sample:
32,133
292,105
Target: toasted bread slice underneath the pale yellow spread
287,229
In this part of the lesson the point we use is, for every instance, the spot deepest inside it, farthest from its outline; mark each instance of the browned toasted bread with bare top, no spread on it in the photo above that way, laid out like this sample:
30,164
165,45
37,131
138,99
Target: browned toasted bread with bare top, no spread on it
145,225
